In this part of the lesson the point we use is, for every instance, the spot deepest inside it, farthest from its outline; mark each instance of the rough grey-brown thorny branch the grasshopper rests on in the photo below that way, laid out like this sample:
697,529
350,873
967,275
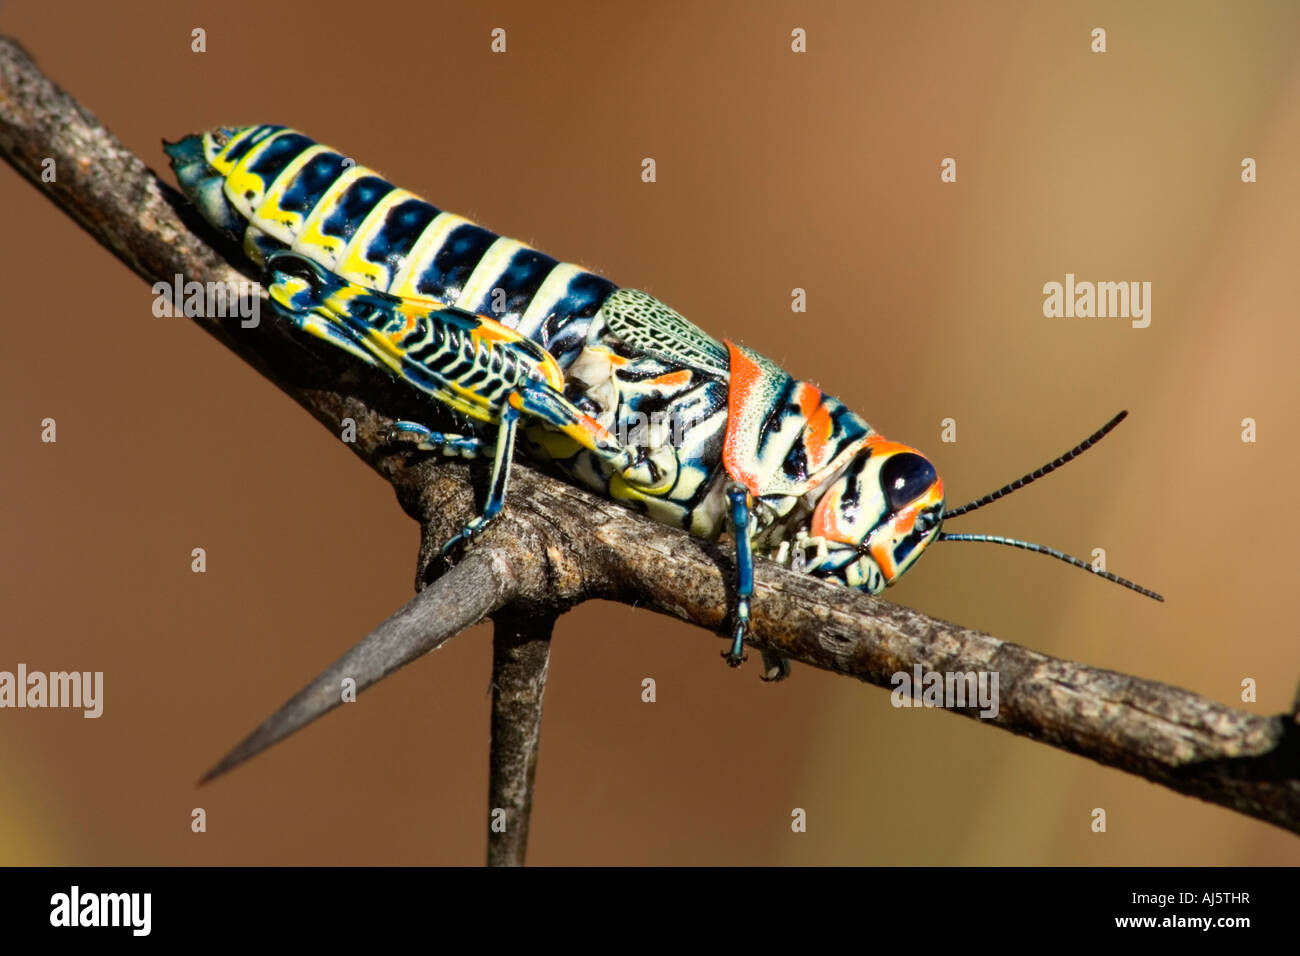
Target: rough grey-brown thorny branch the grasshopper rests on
557,546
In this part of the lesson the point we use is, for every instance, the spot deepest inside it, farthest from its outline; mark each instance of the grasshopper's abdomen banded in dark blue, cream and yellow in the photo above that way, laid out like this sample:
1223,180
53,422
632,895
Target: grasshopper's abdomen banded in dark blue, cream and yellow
281,191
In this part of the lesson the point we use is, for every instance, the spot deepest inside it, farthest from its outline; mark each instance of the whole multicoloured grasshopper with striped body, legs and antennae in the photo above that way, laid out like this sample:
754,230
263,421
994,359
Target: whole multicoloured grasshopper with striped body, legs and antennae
617,390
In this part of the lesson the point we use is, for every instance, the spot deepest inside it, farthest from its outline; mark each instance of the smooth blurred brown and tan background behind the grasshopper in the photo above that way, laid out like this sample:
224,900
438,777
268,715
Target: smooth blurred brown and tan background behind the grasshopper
775,171
